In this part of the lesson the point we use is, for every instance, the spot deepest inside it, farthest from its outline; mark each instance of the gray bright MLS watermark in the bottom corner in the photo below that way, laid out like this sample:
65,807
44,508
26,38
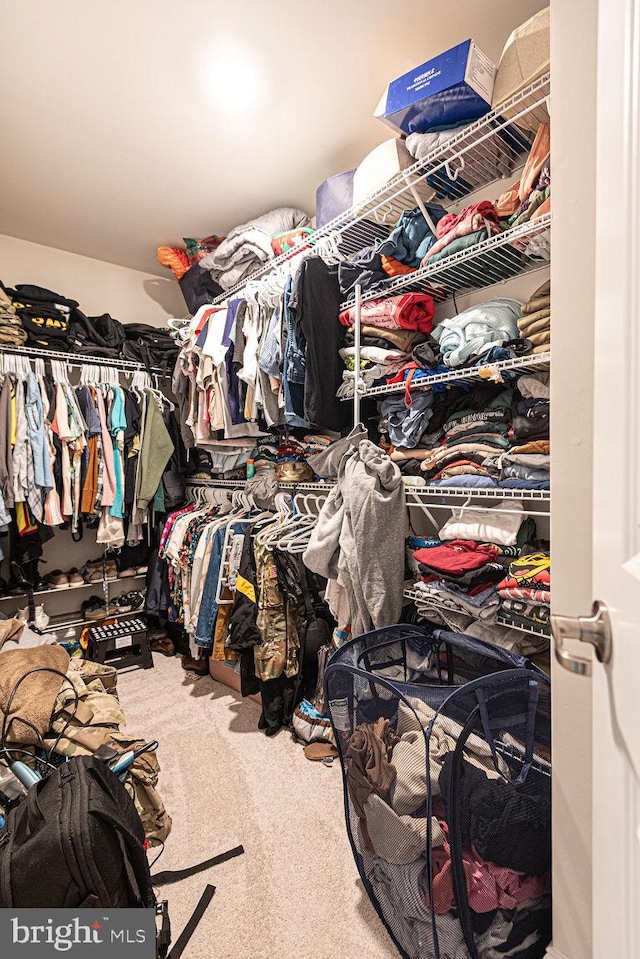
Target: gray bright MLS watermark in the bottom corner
78,933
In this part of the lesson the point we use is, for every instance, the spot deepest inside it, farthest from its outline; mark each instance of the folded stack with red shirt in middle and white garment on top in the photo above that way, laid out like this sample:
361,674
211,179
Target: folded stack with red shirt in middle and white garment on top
461,574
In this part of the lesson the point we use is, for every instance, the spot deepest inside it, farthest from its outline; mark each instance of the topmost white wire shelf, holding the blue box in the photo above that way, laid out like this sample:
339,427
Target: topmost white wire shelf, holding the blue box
490,149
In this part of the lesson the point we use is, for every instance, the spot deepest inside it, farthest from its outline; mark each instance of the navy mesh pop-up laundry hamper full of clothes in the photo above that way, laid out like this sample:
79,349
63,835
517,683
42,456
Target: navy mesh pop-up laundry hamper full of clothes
444,742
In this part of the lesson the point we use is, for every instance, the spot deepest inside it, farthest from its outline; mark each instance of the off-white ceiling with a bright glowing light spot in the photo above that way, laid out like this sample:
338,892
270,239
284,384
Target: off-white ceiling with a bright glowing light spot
114,140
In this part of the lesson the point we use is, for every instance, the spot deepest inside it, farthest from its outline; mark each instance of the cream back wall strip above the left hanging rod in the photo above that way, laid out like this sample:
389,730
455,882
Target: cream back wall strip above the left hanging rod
99,287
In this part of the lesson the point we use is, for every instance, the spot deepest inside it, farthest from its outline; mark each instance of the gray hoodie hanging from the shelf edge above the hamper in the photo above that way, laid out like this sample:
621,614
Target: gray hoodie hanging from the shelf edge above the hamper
359,539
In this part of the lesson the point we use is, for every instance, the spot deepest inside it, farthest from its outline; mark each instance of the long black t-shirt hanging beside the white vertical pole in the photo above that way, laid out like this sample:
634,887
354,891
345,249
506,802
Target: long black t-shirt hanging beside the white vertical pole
315,305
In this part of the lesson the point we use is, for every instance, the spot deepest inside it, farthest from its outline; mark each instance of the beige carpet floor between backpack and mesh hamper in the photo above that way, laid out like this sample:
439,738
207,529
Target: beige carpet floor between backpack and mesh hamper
296,893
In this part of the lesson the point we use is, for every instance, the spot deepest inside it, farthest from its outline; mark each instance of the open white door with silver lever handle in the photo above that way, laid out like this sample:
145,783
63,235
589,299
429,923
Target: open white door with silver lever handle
616,572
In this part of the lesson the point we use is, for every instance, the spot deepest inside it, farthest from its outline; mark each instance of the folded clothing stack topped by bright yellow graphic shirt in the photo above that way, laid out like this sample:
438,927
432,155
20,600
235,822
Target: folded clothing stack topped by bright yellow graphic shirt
525,592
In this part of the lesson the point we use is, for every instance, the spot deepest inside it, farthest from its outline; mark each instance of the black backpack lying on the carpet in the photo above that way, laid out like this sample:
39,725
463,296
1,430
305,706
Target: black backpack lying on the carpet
81,806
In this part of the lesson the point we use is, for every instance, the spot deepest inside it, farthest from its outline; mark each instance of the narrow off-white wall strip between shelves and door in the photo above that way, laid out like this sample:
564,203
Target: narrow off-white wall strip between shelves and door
573,59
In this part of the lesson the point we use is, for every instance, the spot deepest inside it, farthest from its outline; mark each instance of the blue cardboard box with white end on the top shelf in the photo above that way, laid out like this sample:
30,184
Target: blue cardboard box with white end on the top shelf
453,88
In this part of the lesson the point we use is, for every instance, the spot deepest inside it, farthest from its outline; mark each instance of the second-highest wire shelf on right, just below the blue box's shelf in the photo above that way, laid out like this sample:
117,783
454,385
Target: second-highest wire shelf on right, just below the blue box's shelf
520,250
